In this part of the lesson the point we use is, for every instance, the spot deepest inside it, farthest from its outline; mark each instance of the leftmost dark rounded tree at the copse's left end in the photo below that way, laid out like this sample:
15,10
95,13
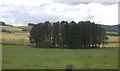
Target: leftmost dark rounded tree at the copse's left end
37,35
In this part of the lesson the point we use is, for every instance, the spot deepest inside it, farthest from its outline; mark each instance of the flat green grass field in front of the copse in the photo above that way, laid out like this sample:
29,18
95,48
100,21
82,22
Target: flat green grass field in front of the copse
25,57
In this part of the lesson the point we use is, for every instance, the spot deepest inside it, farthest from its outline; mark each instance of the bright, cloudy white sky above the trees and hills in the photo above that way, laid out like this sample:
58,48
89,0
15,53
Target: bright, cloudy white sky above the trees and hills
22,12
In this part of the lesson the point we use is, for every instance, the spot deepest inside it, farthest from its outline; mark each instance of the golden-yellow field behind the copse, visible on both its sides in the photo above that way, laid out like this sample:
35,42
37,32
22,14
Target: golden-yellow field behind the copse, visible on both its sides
23,39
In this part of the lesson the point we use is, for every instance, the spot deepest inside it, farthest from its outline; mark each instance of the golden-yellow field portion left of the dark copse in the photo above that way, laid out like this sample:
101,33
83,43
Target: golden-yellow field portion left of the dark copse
15,38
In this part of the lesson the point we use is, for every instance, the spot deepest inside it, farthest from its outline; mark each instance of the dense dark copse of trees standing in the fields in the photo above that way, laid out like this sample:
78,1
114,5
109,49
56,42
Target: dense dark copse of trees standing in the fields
84,34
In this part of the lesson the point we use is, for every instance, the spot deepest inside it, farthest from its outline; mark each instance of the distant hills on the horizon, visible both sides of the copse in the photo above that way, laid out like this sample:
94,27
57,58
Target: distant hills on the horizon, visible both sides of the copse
111,30
